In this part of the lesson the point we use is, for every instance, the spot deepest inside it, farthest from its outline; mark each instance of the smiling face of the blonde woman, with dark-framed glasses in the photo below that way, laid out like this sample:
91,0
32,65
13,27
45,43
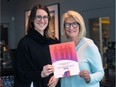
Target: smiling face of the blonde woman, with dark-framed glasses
71,27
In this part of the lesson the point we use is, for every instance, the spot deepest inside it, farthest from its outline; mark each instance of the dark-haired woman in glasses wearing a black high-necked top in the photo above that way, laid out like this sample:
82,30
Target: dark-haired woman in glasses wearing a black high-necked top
33,62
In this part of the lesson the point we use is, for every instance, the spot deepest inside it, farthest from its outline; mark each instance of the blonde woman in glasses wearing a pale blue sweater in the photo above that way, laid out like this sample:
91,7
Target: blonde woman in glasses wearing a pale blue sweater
89,58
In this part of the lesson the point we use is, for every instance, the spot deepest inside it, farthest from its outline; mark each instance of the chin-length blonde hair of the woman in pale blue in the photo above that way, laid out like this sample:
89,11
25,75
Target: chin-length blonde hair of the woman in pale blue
78,18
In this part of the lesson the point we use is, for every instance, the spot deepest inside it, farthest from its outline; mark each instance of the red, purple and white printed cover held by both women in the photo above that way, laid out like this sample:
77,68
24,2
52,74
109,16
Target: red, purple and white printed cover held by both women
64,59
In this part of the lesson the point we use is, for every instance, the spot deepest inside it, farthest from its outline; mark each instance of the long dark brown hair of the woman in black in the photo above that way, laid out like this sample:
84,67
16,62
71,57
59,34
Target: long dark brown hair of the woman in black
32,17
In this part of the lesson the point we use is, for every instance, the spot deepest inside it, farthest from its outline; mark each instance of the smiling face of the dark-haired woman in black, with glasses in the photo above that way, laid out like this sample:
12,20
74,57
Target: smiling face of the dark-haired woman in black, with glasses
41,21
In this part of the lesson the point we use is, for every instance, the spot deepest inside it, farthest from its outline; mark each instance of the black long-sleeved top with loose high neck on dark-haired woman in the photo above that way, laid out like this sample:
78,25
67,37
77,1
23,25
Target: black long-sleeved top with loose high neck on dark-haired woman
32,54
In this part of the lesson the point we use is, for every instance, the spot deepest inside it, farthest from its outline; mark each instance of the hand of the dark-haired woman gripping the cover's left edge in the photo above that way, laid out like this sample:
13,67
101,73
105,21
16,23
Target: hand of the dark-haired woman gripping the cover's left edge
47,70
